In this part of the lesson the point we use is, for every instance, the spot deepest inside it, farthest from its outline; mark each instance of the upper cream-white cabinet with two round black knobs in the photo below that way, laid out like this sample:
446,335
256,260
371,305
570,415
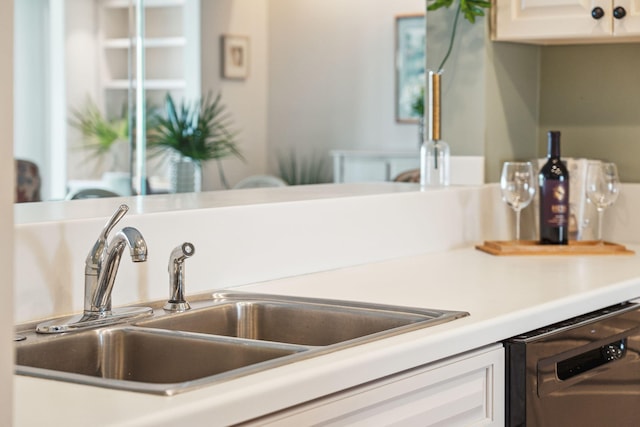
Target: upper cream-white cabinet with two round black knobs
566,21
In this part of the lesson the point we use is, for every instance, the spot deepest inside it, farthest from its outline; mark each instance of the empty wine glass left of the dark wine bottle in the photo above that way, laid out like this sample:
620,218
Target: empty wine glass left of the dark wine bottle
518,186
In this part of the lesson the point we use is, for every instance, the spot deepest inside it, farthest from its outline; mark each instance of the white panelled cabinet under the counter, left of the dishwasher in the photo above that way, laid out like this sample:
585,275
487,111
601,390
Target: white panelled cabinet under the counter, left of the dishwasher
461,391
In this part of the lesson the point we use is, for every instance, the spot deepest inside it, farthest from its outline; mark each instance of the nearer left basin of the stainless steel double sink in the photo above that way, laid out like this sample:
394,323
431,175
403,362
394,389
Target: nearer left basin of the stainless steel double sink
142,360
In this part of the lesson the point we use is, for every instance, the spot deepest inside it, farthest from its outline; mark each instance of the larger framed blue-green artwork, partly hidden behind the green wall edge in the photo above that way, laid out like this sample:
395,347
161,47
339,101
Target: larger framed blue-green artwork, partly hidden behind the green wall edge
410,65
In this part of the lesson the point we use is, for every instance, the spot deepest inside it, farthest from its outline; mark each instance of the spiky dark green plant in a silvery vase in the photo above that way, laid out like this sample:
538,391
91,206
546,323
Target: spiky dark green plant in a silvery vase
193,133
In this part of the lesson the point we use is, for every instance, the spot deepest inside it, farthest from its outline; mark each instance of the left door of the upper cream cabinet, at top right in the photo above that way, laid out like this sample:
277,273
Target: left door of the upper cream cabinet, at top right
546,21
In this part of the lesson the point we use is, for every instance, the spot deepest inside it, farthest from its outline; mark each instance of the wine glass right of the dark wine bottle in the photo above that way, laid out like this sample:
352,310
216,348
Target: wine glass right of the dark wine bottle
602,187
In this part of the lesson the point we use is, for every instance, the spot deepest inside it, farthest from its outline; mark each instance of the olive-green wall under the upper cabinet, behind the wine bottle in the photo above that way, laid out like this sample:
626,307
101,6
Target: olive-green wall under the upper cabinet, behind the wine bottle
592,94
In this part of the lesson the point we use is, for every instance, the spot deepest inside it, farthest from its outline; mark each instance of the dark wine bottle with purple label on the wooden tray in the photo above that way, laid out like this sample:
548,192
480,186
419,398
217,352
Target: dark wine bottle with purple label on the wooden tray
553,181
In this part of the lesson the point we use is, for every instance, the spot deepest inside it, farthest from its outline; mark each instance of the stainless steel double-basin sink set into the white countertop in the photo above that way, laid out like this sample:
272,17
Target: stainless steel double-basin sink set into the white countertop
223,336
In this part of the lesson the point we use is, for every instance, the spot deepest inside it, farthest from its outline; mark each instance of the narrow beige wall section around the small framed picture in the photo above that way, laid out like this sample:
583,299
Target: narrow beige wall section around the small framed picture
246,99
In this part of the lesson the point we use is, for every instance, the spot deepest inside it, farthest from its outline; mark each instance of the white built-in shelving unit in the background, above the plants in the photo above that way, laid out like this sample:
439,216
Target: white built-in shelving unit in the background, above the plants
172,51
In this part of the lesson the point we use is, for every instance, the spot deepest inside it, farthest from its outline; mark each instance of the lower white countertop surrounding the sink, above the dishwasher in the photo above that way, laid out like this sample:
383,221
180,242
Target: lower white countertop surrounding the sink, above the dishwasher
506,296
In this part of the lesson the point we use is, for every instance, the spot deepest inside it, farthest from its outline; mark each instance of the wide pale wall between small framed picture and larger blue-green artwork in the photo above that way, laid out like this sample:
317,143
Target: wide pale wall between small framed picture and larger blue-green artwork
331,76
